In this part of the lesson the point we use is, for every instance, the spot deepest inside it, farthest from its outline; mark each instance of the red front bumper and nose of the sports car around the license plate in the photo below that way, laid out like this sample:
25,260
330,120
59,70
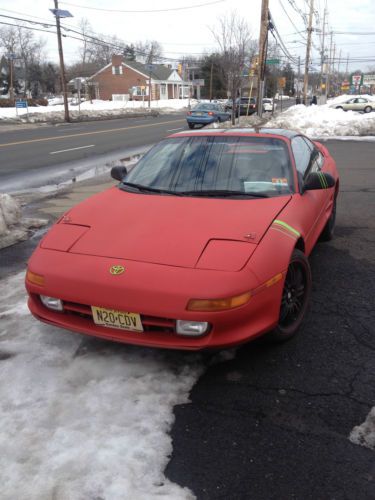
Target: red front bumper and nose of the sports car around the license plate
158,293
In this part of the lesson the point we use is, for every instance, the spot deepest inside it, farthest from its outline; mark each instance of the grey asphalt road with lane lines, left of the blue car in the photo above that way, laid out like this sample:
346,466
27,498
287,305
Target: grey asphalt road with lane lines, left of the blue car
45,146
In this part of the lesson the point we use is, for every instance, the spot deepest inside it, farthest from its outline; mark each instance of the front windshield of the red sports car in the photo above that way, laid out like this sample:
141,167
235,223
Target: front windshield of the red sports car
214,166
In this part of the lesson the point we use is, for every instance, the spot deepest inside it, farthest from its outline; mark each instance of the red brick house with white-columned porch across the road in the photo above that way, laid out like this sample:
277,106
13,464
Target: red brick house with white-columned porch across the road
123,79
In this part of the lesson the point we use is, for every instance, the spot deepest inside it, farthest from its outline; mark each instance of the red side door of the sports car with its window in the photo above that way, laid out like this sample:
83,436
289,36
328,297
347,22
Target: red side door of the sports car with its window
313,203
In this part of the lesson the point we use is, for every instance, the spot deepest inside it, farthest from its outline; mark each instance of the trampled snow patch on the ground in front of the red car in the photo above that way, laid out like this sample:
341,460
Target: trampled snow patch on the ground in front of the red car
82,419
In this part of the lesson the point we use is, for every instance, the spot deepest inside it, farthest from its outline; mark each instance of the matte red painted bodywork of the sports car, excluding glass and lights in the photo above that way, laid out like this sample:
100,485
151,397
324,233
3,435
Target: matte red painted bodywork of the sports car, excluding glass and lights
175,249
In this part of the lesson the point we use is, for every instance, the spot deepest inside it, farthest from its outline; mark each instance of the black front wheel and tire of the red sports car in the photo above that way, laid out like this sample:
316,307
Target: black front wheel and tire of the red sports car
295,298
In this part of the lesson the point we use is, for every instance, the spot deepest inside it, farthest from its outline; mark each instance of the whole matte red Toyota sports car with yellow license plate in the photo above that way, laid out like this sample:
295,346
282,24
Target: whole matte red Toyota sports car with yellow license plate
204,243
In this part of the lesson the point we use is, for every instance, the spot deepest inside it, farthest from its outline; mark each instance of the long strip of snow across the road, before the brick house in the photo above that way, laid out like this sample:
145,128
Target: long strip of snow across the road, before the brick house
96,109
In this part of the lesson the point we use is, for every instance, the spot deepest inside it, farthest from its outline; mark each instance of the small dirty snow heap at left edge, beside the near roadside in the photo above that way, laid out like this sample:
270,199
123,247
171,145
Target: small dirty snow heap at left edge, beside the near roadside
12,227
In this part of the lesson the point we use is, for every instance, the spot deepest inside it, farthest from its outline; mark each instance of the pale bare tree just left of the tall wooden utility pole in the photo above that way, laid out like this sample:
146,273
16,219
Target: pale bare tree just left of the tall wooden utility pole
233,38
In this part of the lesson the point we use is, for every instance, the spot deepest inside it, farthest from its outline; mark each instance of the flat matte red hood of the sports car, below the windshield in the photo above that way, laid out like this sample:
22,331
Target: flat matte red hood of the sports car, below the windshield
169,230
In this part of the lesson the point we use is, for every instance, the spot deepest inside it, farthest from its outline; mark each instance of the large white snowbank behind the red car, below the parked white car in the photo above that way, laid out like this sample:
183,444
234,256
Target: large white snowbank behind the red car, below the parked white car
323,121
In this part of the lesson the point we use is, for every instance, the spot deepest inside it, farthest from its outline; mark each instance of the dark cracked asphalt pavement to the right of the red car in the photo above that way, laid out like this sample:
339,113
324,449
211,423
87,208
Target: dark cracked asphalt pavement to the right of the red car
274,422
